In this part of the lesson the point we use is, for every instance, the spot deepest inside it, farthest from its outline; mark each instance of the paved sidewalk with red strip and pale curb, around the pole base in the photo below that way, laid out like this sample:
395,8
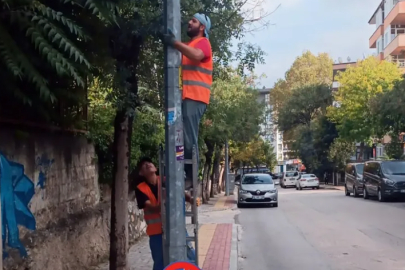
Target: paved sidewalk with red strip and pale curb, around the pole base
218,244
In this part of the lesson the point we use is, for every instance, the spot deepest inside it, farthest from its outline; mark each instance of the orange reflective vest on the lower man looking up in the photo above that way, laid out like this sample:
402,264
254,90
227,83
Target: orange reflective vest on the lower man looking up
152,218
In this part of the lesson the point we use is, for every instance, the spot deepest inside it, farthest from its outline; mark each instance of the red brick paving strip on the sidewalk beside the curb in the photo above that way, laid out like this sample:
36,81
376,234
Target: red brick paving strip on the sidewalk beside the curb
219,252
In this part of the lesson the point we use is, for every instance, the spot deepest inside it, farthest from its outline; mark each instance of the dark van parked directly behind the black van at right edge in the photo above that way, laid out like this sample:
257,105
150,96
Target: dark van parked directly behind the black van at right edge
354,179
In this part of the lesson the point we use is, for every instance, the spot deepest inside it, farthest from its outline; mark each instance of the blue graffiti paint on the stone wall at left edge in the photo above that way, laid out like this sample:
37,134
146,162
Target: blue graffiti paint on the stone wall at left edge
17,191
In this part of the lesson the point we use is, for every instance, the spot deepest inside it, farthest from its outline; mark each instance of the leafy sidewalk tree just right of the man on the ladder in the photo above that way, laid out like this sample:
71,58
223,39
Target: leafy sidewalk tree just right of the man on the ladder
226,119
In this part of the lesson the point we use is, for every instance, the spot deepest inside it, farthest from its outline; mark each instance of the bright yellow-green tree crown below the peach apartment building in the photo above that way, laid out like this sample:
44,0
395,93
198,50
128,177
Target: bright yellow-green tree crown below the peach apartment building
359,85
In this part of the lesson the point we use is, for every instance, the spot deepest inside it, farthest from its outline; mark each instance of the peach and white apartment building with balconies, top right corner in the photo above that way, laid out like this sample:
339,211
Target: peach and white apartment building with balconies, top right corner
389,36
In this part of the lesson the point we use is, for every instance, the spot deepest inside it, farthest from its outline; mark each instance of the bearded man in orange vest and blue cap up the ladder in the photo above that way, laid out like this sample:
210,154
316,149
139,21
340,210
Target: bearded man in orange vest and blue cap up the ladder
196,68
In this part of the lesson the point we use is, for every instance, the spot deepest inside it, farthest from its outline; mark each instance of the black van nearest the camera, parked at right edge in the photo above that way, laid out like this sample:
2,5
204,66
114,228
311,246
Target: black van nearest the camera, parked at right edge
384,179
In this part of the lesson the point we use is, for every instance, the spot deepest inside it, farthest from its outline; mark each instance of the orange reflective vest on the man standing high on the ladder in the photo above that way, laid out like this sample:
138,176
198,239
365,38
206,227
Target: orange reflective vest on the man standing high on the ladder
196,77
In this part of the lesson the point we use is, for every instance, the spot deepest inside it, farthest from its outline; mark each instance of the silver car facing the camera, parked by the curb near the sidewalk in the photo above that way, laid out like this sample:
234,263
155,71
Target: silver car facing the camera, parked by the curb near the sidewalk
257,188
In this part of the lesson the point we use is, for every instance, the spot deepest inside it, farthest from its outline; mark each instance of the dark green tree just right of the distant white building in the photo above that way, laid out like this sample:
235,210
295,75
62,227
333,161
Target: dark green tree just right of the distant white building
302,115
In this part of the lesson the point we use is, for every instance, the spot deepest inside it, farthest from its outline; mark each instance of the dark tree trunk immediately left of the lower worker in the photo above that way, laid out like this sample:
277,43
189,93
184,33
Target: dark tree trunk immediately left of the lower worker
119,196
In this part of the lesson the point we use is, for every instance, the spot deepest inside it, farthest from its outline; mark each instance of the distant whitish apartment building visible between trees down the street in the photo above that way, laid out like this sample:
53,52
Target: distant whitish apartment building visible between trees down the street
269,130
